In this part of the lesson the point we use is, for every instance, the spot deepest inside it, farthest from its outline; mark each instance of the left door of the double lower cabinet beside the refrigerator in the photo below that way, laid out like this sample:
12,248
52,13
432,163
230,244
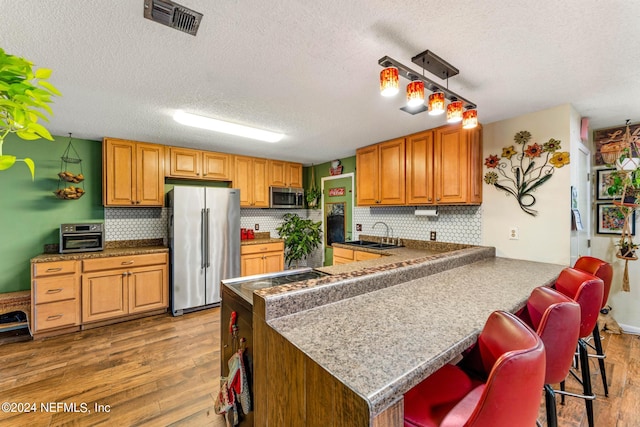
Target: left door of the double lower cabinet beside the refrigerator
104,295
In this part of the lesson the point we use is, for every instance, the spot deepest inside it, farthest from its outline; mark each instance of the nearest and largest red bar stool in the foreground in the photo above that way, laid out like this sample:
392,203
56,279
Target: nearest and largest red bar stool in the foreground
498,387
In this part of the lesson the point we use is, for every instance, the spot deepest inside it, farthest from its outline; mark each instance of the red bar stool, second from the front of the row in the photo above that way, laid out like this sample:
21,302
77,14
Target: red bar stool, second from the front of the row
556,319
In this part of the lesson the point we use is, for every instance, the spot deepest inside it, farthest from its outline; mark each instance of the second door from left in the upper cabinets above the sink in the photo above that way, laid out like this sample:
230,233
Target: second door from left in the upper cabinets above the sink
391,172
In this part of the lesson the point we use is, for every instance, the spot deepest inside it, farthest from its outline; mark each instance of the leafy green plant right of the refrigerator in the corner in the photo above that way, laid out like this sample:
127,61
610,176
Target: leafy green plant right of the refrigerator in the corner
301,237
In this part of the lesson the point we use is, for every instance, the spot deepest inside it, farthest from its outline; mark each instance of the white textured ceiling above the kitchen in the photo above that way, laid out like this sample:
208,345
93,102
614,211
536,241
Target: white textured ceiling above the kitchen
309,69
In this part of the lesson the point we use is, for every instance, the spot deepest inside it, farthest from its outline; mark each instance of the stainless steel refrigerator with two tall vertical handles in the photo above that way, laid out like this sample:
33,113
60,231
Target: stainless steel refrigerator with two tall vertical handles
204,242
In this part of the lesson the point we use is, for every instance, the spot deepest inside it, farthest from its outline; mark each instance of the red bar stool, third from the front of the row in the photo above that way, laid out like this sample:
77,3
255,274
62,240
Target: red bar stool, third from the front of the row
585,289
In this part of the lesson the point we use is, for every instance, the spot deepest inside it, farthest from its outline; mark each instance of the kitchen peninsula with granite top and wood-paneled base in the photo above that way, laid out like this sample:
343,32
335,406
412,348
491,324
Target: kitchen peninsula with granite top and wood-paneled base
344,350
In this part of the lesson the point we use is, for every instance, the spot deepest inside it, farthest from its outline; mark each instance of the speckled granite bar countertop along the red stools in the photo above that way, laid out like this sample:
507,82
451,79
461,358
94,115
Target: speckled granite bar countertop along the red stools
383,342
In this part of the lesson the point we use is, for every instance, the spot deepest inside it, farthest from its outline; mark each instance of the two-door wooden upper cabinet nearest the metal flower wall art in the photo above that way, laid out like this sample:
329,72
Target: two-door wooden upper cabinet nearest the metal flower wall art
444,166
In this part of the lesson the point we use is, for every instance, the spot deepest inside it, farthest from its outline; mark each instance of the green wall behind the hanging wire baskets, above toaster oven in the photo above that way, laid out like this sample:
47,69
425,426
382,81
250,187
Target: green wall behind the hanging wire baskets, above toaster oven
30,214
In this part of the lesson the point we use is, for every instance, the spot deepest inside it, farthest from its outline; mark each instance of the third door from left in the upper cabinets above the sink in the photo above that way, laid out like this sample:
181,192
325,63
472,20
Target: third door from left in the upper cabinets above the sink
419,164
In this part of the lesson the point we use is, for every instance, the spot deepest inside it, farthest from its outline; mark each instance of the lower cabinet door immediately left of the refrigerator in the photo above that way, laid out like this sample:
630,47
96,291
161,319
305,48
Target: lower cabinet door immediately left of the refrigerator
148,289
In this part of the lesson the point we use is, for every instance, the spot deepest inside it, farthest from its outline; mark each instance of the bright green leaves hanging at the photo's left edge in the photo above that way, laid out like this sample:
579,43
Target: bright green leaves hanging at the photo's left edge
24,98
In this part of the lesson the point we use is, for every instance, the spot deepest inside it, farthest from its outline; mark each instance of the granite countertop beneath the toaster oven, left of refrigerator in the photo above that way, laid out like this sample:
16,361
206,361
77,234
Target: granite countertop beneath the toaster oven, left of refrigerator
114,248
